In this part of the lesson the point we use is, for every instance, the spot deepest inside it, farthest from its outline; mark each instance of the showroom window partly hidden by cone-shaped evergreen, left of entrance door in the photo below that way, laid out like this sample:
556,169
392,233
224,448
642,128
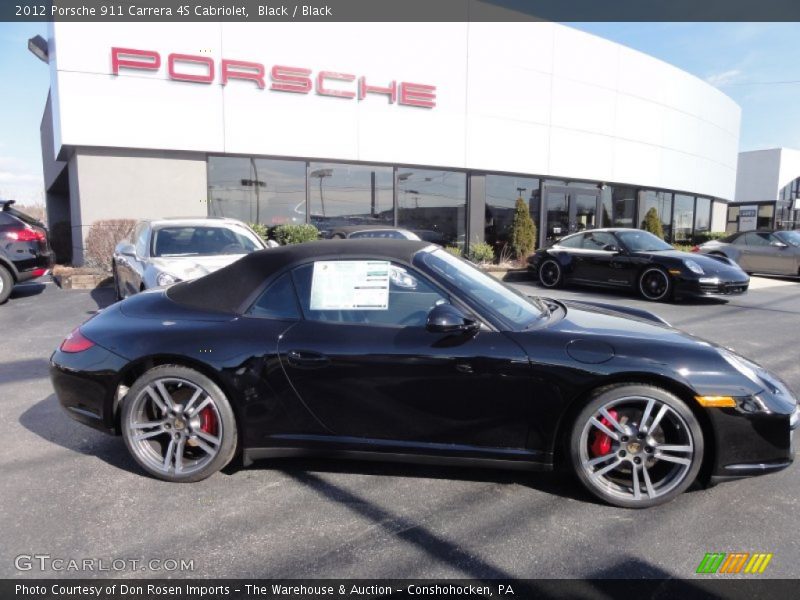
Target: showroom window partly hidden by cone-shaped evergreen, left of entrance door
501,198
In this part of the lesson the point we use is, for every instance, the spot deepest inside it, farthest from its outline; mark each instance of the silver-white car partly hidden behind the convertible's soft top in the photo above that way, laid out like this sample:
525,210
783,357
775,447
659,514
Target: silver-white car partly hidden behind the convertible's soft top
165,251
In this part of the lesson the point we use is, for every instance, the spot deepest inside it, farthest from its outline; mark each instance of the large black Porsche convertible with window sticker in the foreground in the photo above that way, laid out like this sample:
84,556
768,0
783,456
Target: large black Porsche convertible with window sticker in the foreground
396,350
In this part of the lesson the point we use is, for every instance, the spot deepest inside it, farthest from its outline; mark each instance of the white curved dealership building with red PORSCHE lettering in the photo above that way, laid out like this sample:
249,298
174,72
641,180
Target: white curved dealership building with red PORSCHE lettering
435,127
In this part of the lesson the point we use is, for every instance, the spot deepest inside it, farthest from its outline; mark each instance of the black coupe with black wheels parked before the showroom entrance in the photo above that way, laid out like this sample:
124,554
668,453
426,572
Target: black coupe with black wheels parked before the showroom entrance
634,259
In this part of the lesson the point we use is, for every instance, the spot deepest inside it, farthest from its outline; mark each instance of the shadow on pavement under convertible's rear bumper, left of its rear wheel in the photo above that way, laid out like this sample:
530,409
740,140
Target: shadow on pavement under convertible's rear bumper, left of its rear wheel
46,419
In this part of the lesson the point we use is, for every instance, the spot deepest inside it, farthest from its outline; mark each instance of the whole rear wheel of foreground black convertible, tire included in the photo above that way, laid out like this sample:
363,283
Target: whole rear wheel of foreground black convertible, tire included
155,424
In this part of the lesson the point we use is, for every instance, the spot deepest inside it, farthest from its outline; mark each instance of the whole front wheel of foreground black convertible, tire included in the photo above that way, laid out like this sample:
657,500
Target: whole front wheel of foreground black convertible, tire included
634,473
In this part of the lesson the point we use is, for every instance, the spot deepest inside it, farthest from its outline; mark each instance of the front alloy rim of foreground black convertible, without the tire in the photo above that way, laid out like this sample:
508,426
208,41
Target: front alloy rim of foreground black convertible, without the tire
636,449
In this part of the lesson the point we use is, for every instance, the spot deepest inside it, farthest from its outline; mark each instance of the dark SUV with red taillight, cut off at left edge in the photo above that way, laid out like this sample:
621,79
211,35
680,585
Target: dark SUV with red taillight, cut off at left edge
24,251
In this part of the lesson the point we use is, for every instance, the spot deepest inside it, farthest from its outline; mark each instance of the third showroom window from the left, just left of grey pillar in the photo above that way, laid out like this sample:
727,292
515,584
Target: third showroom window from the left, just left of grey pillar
433,204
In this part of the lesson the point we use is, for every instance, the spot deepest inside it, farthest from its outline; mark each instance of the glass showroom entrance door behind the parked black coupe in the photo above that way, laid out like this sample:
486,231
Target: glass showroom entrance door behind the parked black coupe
567,210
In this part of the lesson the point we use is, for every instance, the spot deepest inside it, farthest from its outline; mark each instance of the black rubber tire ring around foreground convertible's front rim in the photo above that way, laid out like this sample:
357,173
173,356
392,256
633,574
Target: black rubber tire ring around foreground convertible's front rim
610,393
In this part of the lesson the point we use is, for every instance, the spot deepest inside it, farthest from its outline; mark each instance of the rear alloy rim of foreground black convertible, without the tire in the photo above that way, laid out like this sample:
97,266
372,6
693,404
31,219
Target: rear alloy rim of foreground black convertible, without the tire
174,427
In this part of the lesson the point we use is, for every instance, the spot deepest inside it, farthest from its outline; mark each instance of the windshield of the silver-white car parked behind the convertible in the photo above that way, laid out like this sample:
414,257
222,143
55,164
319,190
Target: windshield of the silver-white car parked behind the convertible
202,240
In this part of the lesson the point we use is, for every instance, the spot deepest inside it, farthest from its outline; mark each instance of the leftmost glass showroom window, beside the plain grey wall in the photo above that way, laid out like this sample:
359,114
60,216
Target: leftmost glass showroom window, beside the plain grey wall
257,190
